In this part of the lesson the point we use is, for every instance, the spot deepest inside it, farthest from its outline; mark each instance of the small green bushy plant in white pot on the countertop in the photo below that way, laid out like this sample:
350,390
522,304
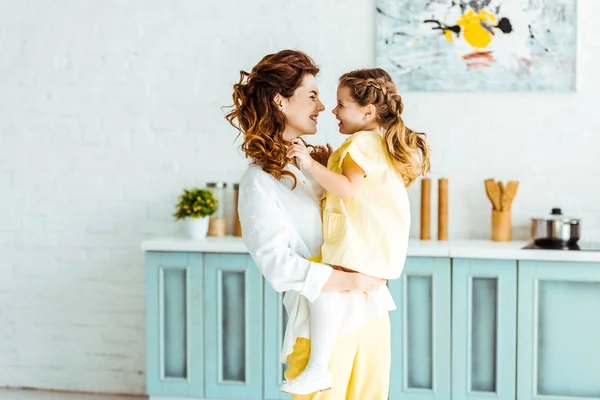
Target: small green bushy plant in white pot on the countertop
195,206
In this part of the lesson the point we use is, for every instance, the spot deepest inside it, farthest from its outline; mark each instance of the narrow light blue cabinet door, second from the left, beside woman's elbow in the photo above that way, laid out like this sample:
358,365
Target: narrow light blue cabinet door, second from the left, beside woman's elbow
233,327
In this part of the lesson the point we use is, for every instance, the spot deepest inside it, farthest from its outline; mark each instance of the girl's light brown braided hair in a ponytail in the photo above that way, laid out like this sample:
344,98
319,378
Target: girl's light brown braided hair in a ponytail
408,149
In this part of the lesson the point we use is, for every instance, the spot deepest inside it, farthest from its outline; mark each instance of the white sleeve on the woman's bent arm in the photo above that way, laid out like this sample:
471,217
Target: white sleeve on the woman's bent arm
266,234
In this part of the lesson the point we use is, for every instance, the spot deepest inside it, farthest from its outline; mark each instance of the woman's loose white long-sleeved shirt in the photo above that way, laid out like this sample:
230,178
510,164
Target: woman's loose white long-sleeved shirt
281,228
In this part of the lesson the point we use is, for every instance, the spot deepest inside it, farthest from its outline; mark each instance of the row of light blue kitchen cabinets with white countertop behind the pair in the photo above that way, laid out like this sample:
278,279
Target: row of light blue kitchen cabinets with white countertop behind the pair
474,321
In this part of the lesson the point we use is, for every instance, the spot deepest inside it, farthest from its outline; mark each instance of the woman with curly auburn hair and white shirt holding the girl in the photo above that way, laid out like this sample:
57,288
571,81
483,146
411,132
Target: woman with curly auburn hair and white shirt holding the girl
279,208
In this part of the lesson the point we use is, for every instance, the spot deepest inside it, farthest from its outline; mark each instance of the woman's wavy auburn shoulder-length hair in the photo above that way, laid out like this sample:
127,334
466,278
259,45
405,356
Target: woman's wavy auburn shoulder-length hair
254,112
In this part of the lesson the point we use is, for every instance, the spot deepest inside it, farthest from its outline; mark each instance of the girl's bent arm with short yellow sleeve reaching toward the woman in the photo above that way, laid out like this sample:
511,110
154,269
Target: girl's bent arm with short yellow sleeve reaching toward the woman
342,185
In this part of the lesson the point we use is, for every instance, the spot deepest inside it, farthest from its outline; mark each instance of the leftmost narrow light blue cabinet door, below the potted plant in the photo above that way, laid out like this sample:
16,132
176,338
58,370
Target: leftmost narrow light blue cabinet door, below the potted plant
174,324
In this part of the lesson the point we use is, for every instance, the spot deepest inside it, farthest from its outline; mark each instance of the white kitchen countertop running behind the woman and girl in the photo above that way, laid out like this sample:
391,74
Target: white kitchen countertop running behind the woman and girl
416,248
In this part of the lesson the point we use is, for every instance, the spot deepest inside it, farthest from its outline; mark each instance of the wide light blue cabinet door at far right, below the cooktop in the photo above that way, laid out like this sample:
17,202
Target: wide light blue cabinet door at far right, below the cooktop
559,330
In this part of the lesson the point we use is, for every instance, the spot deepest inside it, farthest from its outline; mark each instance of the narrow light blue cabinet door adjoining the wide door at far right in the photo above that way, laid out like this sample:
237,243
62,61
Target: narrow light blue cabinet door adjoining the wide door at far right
484,323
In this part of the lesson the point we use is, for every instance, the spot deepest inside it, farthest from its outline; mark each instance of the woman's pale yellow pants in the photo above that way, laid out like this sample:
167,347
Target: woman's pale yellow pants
360,364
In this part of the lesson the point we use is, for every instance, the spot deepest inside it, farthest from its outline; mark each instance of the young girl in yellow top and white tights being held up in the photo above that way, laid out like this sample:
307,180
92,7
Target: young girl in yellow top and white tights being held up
366,212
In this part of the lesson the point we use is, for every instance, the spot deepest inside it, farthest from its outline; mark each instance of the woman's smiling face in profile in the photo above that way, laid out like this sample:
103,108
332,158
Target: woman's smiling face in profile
302,109
